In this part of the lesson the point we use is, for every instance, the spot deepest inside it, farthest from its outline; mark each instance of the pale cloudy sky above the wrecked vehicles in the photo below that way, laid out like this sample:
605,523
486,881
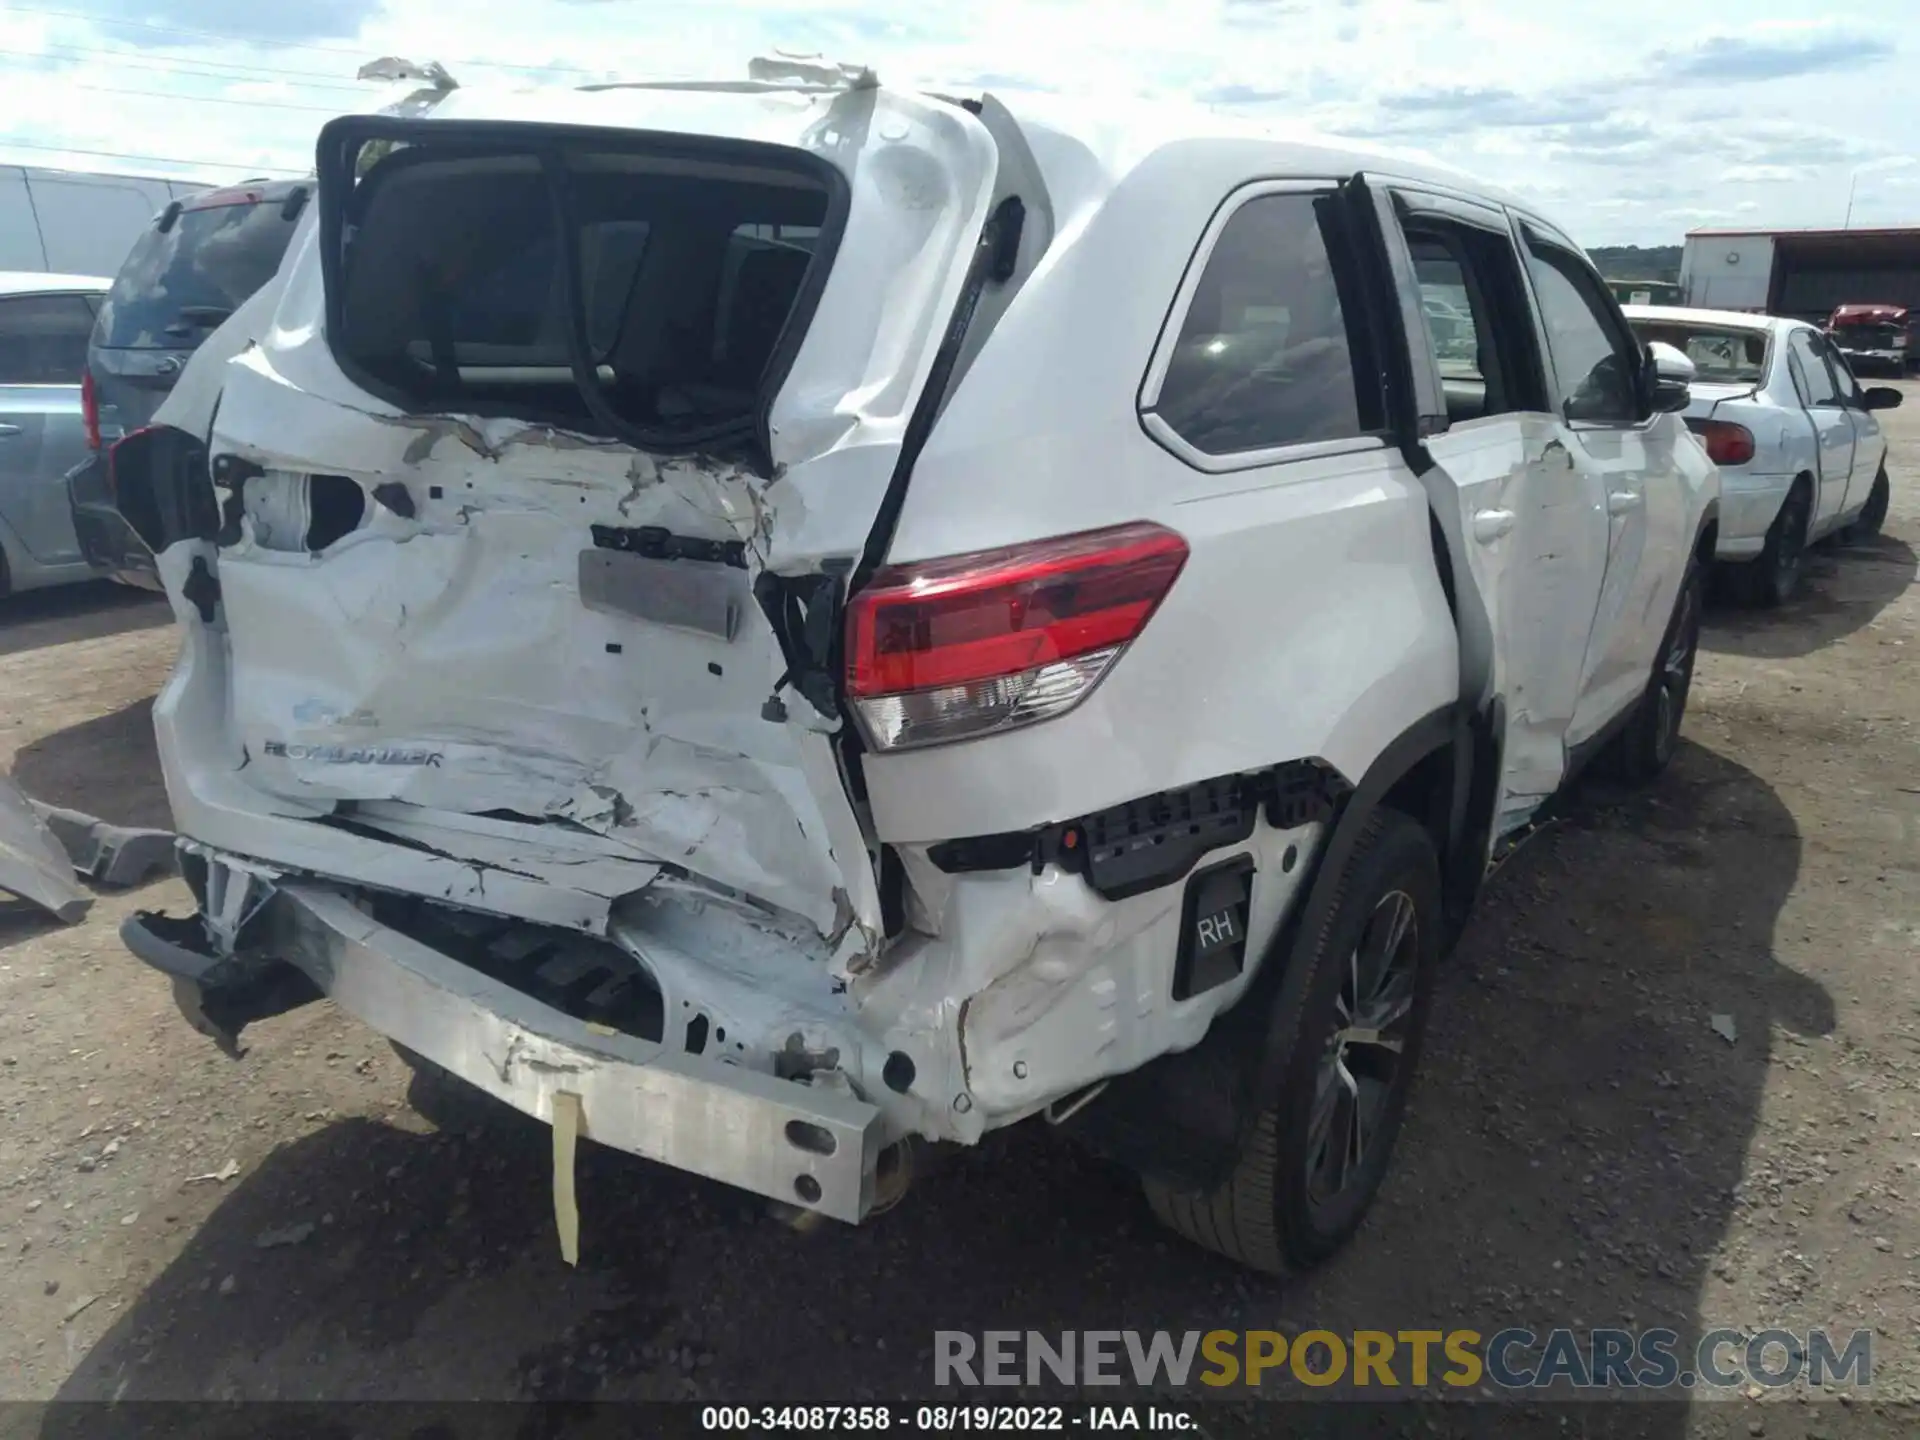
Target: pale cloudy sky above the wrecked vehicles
1629,120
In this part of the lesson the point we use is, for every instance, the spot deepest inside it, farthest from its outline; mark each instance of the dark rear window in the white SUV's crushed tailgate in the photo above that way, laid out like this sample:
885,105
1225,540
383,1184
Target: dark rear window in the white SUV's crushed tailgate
450,293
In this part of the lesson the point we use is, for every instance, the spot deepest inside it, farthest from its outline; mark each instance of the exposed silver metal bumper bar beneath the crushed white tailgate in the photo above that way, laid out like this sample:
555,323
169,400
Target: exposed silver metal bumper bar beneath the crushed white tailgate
807,1147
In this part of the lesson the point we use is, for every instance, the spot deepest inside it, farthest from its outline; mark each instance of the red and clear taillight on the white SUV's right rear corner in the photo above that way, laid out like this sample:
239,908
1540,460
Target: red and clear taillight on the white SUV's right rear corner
967,646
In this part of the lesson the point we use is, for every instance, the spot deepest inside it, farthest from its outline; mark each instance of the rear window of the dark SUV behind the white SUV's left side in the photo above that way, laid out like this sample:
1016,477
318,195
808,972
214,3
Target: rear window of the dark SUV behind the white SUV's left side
180,283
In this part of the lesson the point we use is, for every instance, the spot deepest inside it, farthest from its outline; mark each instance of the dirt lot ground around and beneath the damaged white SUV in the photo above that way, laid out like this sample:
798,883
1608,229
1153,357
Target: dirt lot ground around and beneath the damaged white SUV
1583,1151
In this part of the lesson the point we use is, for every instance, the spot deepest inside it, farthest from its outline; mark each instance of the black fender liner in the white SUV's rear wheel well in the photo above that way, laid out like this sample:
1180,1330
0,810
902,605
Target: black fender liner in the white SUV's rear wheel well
1186,1116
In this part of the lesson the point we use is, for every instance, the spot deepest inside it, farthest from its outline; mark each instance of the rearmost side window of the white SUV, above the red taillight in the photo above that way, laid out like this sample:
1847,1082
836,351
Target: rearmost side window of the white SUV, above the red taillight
1264,356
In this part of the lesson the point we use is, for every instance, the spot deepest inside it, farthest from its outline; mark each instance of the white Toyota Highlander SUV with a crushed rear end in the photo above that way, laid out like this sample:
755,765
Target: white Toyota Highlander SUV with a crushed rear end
807,621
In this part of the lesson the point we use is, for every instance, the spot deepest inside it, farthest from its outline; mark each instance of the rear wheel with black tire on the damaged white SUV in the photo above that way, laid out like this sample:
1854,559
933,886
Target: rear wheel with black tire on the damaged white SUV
1274,1212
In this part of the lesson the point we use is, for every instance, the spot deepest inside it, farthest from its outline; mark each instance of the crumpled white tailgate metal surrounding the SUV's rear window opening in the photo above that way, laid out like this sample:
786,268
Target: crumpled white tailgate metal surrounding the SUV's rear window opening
458,638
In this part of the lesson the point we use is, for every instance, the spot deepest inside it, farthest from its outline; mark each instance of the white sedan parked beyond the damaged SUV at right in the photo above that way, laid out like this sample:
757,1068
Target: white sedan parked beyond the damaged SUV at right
1792,431
